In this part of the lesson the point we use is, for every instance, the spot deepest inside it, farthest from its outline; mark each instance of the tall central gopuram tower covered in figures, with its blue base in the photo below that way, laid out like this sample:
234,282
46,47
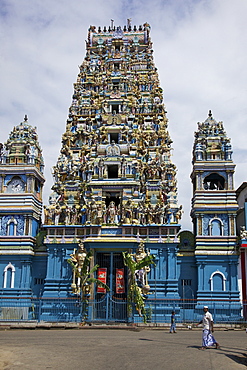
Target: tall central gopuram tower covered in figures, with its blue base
114,182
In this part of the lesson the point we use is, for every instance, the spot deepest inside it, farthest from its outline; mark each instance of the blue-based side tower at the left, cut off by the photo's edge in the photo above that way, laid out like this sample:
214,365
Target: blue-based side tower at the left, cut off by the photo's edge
21,183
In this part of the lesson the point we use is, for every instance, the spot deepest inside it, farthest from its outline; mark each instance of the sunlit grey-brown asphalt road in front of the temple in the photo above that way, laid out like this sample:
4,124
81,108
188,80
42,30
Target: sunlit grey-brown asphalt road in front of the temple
98,349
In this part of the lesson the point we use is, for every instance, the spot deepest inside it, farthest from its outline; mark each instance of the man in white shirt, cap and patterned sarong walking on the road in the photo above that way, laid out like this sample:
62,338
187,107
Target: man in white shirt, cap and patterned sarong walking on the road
208,339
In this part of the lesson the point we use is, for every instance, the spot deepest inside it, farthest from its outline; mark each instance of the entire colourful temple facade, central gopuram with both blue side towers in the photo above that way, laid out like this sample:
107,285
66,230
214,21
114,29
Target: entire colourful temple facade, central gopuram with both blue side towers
115,194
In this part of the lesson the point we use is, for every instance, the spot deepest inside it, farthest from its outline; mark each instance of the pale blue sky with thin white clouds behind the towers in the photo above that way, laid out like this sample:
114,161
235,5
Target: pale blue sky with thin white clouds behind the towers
199,49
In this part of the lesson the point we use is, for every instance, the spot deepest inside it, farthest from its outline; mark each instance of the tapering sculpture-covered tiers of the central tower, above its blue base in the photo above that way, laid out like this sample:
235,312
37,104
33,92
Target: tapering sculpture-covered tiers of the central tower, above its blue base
117,137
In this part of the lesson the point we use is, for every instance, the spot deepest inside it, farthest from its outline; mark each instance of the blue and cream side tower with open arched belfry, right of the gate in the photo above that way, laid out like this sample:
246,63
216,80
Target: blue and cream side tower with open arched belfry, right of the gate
214,210
